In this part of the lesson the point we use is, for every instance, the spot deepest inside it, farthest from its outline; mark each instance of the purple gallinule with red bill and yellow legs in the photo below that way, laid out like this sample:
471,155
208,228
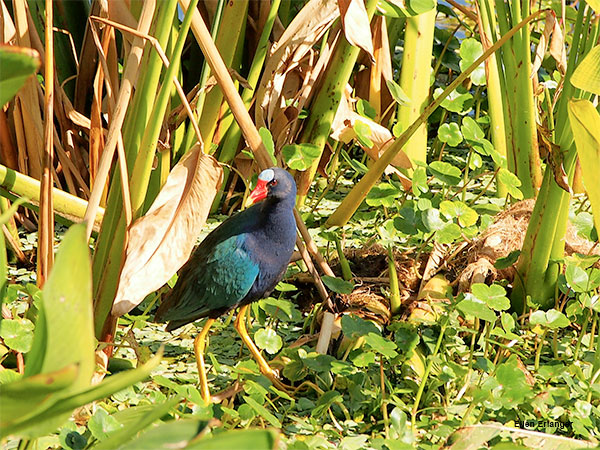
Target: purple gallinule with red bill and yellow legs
241,261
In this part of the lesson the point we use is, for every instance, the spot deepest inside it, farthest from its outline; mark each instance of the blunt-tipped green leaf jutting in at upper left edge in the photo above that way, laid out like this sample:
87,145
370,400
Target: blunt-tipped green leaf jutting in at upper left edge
16,65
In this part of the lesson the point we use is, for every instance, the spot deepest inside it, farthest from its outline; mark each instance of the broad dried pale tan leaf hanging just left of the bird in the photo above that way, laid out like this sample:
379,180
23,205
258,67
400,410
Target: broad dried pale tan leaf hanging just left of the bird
162,241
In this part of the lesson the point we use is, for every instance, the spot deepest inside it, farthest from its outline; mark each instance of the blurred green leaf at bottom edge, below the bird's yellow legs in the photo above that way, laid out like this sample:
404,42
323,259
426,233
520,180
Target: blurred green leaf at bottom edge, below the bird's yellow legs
238,439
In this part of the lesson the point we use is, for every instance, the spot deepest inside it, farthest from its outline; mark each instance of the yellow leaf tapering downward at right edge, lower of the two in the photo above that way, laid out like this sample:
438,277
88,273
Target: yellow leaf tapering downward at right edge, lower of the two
585,122
